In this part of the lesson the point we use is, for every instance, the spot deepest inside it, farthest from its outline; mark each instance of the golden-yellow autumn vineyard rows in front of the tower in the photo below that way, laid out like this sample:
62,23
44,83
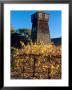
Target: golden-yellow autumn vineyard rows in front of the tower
36,61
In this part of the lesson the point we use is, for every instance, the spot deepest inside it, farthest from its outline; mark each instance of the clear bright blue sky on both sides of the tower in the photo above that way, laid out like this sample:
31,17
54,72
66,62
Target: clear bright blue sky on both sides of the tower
22,19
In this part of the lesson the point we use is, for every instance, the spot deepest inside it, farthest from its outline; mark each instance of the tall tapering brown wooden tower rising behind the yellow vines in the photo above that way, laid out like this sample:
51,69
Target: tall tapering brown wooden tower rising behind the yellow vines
40,28
